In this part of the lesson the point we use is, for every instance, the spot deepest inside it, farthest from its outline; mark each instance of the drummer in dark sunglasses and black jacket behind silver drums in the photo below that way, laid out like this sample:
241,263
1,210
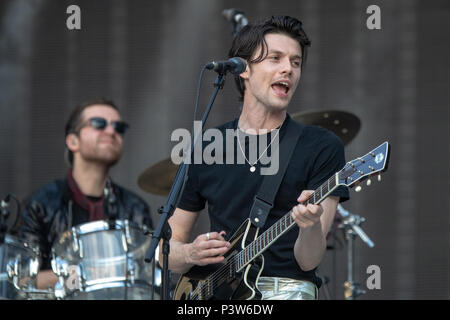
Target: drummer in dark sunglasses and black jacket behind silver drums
94,135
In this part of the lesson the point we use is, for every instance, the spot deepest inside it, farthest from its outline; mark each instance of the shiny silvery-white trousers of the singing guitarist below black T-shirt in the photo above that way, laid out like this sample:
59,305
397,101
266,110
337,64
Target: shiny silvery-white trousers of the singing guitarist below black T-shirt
276,288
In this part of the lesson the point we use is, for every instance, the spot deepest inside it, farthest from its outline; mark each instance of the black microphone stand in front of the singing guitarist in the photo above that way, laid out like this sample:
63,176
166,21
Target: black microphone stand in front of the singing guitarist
163,230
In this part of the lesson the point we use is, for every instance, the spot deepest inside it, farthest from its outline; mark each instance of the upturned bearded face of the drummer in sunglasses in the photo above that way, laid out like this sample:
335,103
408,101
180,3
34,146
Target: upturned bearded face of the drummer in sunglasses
103,146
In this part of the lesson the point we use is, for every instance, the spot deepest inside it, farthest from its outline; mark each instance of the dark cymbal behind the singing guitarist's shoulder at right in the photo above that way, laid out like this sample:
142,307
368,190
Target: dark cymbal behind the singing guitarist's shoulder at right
343,124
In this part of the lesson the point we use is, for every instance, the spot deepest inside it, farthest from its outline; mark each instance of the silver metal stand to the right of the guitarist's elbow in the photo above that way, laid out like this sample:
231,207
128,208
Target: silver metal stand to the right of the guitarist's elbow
350,225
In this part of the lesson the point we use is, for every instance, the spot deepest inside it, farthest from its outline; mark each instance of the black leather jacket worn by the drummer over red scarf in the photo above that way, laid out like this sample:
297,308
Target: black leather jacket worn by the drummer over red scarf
48,213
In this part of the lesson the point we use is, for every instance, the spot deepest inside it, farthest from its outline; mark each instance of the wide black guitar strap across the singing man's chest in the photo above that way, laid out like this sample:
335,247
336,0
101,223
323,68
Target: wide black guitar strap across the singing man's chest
264,199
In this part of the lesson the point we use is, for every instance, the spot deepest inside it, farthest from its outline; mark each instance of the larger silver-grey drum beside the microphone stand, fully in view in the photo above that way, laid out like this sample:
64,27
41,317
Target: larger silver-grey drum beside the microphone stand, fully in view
98,261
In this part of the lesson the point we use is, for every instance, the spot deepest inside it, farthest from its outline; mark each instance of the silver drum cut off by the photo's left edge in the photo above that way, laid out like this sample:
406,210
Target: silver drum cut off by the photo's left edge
19,265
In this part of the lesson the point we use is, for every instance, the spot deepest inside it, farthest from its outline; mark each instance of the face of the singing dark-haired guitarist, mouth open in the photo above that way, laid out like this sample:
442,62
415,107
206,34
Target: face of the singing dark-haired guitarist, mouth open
271,83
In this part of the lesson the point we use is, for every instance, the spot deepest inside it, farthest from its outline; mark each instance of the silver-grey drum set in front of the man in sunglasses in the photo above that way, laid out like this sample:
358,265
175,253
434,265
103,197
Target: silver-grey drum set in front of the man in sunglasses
100,260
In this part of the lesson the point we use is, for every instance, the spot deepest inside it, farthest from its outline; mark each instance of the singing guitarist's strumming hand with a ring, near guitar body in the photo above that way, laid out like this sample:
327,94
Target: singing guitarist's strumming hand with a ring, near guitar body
205,251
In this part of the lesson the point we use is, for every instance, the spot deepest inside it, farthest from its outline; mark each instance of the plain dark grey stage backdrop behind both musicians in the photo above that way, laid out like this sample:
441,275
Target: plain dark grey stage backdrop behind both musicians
147,55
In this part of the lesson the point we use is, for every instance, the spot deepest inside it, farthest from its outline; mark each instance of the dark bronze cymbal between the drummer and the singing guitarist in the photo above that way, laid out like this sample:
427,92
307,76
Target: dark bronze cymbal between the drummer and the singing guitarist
158,178
